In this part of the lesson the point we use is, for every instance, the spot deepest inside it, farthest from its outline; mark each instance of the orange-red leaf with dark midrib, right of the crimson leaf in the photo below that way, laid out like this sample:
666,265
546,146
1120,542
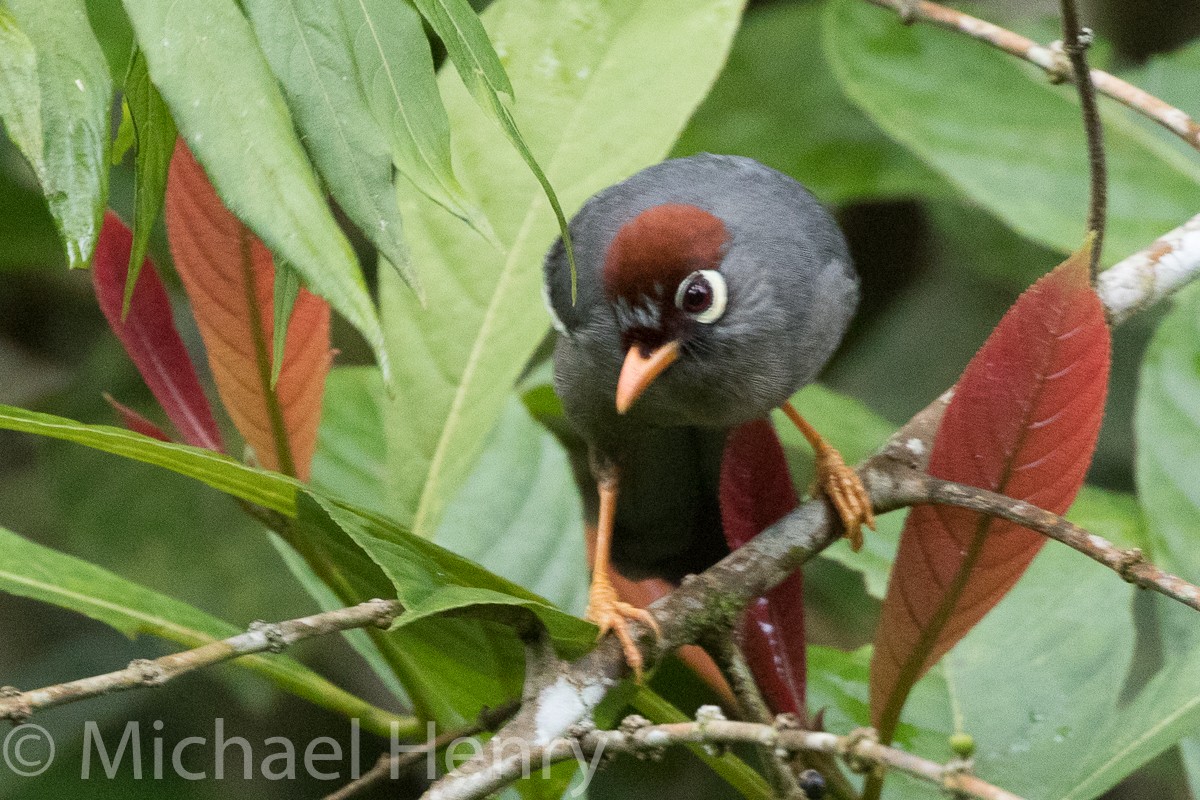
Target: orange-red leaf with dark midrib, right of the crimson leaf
230,278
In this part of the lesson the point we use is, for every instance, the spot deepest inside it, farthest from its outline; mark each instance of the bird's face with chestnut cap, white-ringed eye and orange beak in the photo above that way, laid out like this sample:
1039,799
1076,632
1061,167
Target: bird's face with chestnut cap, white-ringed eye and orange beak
662,276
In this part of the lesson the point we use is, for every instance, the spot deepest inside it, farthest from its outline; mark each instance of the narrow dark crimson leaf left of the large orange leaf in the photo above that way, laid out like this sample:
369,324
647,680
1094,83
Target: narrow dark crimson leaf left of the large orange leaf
151,338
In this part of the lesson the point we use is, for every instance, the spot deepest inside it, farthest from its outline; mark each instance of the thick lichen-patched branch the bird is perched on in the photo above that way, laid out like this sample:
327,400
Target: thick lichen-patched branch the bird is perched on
561,697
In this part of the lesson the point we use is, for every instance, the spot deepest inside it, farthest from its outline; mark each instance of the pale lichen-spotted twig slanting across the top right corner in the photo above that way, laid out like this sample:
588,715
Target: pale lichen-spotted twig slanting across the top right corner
1054,62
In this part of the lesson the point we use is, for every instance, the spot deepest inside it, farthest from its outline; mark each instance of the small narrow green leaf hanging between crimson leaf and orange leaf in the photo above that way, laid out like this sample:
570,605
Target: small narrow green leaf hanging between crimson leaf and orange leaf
155,142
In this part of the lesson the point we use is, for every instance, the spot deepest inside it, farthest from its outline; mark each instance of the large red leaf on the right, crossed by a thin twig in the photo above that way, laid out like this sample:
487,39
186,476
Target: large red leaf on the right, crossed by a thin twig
1023,422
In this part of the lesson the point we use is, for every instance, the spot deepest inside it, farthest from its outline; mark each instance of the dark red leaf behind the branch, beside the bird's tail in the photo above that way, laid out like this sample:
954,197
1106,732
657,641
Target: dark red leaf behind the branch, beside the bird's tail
757,492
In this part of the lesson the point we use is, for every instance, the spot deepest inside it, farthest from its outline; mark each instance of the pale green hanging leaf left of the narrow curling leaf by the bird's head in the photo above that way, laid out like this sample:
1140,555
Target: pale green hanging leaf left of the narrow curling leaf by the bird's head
395,70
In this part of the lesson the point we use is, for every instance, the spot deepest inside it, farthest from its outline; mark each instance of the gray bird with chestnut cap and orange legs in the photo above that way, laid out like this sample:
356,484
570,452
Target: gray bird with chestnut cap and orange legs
710,291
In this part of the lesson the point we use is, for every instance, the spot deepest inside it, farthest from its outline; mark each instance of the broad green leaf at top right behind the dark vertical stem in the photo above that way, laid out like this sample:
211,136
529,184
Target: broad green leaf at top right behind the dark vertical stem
1004,135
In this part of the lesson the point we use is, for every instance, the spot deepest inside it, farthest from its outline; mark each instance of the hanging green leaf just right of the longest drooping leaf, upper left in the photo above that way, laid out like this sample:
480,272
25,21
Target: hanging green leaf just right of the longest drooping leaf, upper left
309,50
